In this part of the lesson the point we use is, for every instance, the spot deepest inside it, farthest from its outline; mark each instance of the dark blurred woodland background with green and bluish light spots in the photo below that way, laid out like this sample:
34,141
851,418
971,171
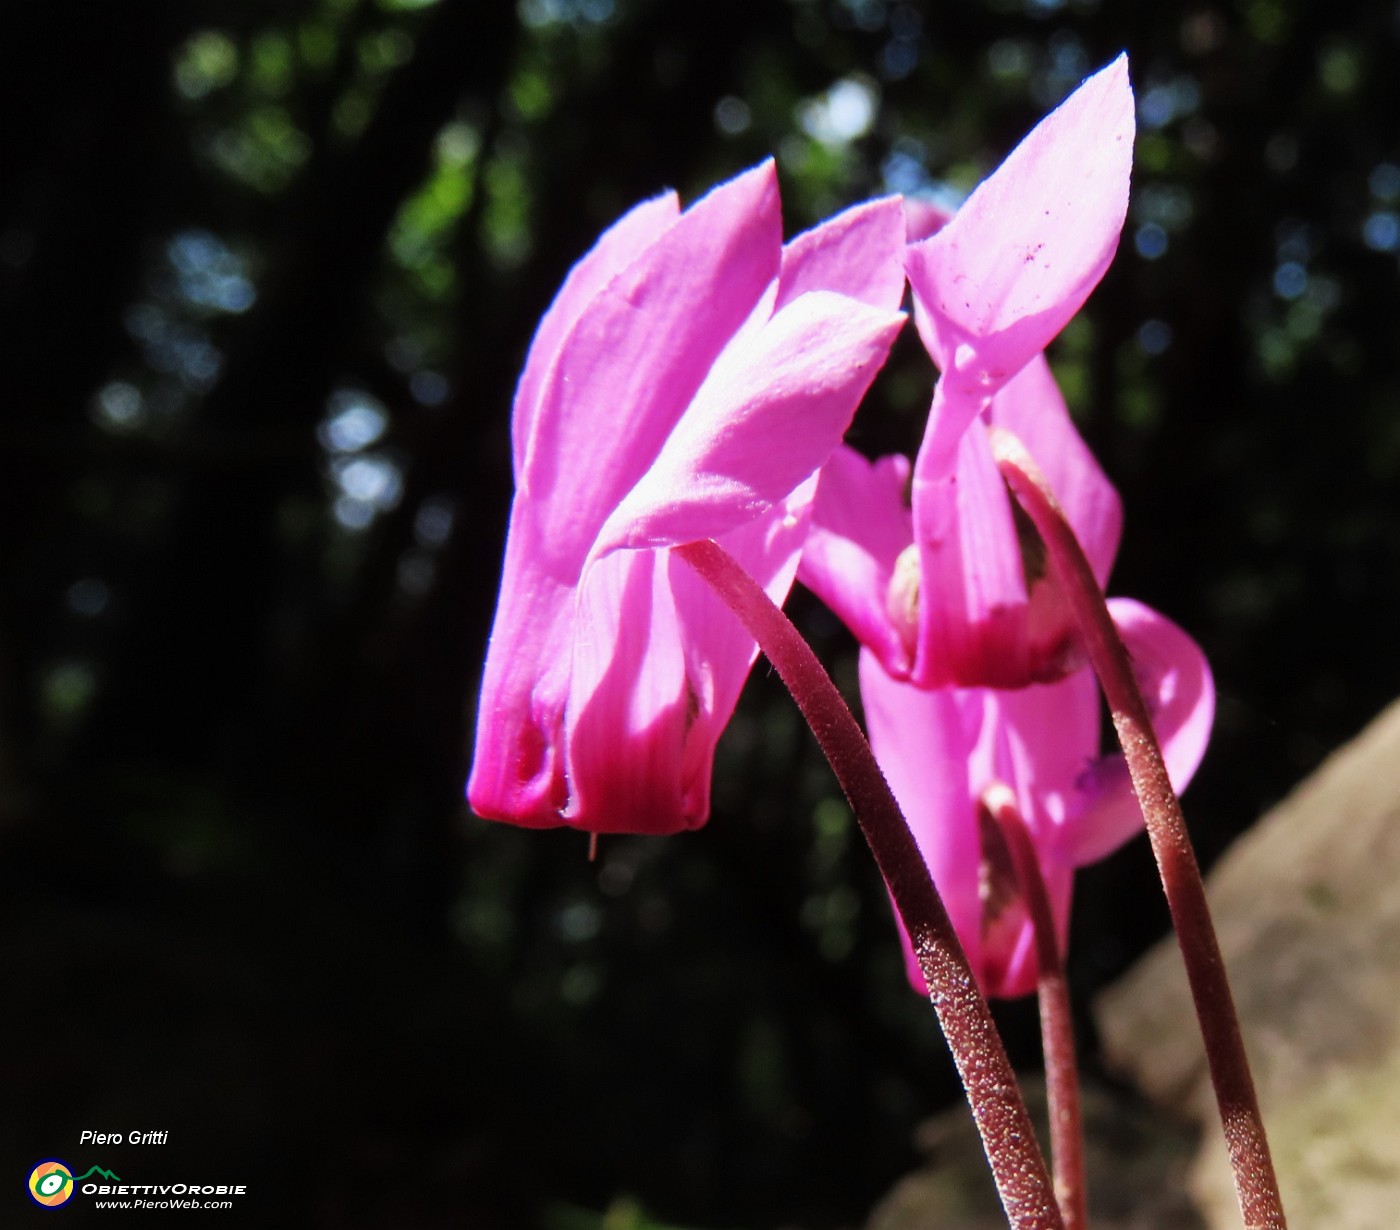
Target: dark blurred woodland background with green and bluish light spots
268,272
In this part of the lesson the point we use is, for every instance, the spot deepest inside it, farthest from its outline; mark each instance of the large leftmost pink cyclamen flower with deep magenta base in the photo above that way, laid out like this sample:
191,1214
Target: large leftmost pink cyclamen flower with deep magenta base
688,383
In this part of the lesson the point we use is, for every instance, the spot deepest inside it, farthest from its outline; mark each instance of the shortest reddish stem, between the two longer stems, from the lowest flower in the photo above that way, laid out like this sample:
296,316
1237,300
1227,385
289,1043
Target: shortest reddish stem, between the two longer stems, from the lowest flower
1056,1021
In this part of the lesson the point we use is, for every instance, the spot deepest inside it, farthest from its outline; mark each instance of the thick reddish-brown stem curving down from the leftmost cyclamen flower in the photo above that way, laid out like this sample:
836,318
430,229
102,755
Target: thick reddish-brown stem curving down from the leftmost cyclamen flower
1007,1136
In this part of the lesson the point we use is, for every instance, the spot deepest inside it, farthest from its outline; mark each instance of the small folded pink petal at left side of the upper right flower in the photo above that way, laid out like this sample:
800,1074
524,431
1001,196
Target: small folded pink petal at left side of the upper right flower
860,527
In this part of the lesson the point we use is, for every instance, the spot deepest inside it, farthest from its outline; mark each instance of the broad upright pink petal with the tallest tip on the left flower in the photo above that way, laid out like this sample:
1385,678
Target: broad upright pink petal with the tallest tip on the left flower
633,362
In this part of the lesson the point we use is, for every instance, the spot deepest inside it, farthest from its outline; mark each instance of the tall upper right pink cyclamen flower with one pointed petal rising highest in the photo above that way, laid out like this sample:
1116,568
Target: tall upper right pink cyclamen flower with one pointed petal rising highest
955,593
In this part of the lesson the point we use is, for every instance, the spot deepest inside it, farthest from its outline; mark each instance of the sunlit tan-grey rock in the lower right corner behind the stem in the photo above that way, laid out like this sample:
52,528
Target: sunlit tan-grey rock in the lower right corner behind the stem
1308,913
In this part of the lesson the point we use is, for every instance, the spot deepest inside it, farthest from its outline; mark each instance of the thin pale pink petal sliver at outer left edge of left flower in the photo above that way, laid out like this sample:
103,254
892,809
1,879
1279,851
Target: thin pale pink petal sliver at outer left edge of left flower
619,247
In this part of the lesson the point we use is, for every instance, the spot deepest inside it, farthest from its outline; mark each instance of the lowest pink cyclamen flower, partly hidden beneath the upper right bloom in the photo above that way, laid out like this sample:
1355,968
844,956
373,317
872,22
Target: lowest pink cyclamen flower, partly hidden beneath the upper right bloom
950,751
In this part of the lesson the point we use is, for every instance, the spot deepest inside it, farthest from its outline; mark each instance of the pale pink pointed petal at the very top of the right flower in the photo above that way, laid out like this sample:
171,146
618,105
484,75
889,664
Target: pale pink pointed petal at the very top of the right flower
1024,253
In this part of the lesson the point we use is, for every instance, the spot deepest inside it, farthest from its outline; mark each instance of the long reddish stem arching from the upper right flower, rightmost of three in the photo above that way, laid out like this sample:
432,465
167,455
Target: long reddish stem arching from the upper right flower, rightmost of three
1255,1180
